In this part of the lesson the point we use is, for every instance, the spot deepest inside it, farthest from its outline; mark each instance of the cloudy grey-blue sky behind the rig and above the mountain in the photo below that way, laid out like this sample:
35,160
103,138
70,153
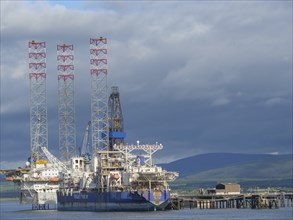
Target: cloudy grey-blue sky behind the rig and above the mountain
196,76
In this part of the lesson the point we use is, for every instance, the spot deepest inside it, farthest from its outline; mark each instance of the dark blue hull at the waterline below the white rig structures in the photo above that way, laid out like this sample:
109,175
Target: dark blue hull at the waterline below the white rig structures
113,201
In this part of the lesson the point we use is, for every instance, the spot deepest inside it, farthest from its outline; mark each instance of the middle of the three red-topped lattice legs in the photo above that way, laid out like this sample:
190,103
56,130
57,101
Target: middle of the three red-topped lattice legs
66,108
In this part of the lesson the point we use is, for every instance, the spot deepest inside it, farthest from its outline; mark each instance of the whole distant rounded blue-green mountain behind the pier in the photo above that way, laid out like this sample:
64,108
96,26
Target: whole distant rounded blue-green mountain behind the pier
254,169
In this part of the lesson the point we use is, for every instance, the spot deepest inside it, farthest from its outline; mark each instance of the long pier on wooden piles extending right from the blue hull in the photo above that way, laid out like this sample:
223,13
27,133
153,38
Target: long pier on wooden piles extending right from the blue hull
253,201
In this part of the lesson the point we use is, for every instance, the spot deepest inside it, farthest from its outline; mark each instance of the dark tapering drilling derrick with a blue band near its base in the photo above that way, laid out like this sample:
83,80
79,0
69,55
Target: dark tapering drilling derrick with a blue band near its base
116,124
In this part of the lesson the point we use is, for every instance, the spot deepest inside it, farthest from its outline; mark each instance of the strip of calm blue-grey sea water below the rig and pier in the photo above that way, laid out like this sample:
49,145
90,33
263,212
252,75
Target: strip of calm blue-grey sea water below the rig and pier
12,210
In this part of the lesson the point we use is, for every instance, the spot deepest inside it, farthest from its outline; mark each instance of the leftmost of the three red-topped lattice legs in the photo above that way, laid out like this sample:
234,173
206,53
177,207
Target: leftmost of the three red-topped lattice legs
38,100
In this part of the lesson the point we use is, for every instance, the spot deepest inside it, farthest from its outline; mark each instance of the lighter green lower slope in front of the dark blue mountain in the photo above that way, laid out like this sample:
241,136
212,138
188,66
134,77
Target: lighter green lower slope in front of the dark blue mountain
266,172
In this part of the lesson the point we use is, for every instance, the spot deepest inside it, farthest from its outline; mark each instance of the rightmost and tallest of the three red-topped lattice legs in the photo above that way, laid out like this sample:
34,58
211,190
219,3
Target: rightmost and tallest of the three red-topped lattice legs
99,105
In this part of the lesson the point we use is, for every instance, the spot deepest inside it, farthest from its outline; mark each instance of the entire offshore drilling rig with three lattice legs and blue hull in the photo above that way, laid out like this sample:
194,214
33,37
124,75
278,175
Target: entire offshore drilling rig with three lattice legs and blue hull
109,175
